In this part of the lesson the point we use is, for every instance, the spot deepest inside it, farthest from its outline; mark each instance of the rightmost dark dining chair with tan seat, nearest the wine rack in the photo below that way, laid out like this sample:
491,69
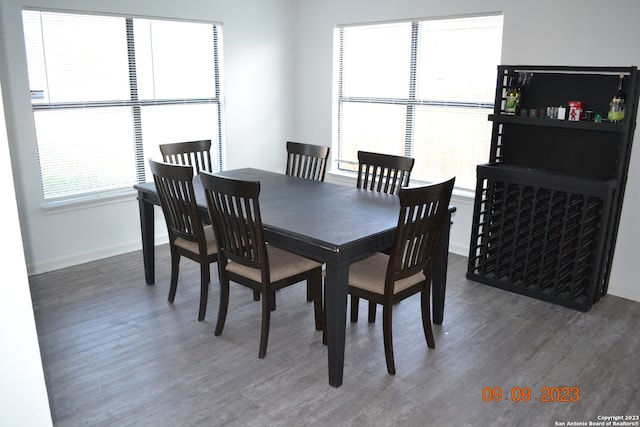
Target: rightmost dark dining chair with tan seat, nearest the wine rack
388,279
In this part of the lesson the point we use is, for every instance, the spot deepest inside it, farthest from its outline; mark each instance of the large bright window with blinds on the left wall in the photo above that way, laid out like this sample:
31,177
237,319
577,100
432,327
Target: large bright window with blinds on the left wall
107,90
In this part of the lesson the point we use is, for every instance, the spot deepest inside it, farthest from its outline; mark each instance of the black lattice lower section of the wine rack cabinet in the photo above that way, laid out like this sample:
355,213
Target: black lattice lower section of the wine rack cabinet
539,239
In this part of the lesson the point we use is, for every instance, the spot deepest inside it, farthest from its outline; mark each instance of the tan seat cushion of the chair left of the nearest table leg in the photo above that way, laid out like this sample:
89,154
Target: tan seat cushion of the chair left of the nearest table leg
282,264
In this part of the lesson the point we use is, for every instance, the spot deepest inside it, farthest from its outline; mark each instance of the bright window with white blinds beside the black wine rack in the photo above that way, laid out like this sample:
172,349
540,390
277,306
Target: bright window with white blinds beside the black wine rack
418,88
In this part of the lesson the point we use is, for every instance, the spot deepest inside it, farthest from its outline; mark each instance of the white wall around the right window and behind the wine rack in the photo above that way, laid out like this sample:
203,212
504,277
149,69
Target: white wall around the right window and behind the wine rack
545,32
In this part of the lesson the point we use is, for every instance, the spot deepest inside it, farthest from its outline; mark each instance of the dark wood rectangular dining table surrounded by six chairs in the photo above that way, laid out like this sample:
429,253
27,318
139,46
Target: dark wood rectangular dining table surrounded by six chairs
331,223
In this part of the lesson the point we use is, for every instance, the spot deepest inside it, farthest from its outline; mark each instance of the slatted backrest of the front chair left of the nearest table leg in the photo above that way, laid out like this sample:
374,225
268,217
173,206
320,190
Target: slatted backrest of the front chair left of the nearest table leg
235,214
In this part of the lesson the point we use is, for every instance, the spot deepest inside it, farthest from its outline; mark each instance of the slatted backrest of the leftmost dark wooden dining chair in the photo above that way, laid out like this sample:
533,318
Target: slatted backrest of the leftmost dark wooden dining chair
174,184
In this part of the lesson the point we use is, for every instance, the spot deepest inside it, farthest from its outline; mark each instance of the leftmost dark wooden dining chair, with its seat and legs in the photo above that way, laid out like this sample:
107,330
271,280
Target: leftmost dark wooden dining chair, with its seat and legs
188,236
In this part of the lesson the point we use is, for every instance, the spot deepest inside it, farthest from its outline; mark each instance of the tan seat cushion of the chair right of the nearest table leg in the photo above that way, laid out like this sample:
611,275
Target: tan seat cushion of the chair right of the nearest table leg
369,274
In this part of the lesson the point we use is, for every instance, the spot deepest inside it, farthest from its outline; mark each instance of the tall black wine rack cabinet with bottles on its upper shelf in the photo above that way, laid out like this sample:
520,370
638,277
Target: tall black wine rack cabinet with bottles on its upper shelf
547,206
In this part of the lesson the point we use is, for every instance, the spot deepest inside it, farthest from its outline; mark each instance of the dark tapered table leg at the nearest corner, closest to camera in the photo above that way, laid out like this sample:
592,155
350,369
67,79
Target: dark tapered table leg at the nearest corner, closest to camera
335,299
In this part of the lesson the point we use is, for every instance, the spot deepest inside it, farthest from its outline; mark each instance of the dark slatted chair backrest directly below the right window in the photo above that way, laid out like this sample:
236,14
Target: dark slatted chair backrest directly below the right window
384,173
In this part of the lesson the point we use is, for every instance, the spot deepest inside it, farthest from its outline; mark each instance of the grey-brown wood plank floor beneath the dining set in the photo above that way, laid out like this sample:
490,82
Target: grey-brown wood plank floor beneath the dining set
116,354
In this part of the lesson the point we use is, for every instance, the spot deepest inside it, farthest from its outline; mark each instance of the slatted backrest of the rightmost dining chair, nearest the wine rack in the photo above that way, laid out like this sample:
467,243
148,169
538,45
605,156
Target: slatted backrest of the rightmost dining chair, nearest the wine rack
423,214
